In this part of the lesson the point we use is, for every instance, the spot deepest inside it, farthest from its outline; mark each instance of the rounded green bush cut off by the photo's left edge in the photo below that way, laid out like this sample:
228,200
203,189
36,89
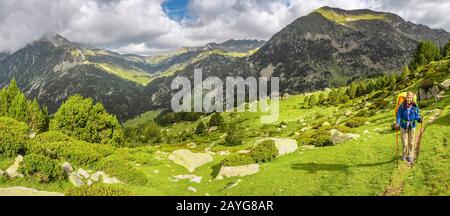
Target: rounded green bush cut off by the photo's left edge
13,137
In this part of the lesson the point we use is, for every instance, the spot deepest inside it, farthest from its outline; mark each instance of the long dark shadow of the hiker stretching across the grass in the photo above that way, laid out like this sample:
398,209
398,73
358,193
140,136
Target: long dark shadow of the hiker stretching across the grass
315,167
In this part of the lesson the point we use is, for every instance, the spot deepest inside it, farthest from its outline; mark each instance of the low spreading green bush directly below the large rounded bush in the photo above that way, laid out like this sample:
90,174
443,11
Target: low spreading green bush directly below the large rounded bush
78,152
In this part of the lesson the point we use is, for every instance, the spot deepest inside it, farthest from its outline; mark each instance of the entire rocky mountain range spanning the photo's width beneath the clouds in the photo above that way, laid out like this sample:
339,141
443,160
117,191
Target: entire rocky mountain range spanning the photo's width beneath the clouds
329,47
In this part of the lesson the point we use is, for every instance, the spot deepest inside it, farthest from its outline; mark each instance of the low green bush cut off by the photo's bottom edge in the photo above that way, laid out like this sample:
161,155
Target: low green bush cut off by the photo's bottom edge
98,190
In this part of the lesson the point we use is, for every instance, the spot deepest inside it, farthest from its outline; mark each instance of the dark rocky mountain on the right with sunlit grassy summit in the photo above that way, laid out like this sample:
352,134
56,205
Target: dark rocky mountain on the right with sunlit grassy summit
329,47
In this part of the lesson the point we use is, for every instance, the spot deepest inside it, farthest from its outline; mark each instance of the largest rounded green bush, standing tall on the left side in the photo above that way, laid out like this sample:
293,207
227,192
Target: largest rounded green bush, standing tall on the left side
79,117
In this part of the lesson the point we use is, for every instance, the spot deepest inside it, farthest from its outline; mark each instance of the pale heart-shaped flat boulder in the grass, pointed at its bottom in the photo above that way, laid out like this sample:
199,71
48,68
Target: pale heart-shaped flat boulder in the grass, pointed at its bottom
190,160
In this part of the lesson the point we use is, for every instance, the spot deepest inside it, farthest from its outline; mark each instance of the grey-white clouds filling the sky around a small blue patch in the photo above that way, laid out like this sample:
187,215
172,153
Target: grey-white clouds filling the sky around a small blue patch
143,27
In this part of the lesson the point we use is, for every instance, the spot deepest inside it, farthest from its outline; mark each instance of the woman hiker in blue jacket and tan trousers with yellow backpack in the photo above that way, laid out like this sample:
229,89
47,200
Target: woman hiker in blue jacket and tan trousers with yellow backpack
407,115
